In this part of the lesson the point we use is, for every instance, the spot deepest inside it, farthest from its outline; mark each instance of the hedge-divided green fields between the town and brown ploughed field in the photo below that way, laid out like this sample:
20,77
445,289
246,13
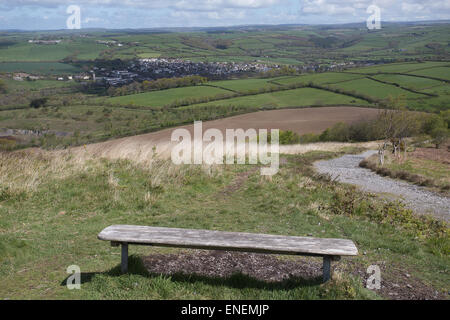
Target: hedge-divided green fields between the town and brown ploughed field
95,118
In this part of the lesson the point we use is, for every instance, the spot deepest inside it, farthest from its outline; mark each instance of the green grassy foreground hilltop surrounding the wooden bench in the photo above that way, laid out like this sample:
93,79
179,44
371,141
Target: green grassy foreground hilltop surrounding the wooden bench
53,205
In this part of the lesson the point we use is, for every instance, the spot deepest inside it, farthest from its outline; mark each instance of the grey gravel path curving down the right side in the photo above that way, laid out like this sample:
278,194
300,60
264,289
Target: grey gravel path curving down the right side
346,169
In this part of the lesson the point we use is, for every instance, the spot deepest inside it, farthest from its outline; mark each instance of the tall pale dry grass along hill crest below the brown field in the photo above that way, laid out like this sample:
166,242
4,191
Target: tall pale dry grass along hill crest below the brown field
23,172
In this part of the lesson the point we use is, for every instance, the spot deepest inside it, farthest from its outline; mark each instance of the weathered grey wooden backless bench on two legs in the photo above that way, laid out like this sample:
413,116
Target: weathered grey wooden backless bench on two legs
329,249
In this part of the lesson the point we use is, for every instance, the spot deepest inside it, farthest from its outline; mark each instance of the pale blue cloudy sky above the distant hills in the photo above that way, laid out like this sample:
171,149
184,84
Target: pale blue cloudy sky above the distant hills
118,14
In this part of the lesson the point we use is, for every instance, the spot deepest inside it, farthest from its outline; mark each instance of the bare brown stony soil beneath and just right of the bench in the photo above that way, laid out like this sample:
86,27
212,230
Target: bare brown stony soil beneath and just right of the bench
396,283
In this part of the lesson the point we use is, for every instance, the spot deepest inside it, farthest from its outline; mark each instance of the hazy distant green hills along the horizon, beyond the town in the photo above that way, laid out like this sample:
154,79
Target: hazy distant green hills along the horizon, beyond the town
292,45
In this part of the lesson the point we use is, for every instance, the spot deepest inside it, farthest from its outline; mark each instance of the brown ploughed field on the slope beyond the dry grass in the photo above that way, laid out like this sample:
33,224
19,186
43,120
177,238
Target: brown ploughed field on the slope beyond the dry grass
301,121
